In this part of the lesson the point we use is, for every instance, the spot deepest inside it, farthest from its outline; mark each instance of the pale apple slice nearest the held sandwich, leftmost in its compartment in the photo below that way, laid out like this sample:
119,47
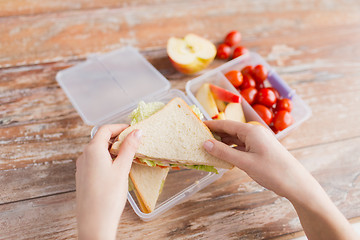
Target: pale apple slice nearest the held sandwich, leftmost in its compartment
206,99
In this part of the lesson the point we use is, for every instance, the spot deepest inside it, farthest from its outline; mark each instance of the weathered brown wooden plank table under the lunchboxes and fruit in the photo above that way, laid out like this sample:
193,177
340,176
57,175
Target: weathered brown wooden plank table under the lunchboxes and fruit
314,46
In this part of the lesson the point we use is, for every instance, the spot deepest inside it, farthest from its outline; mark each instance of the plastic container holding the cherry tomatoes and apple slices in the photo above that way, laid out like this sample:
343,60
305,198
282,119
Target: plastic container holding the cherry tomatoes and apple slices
300,112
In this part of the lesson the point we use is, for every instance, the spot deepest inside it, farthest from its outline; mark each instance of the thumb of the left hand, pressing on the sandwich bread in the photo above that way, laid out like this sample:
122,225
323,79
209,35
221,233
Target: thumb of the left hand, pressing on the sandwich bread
127,150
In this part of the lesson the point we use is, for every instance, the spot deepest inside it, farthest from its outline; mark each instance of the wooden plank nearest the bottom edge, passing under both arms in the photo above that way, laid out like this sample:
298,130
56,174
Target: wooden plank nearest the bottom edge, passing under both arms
234,207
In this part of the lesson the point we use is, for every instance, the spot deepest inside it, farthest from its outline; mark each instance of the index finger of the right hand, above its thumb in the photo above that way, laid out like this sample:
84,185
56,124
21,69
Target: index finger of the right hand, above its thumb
232,128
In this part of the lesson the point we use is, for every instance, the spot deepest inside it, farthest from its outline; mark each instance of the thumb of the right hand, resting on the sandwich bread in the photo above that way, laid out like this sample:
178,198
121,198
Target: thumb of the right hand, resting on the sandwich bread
226,153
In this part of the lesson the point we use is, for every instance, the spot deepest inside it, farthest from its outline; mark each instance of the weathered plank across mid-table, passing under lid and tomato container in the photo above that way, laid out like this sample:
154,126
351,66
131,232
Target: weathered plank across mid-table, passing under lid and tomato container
49,124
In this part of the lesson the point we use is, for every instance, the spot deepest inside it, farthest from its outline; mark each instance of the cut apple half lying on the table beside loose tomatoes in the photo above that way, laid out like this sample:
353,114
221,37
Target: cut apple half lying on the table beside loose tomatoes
190,54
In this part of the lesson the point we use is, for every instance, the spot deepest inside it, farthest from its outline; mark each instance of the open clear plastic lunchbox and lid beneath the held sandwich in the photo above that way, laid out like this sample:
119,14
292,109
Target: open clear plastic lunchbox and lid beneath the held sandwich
106,88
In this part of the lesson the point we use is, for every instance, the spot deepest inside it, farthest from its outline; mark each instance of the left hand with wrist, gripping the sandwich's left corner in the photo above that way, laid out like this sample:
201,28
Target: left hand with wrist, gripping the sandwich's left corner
102,183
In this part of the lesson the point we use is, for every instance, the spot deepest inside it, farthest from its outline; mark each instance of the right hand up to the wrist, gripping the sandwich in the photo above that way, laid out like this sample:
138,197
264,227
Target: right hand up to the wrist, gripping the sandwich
260,155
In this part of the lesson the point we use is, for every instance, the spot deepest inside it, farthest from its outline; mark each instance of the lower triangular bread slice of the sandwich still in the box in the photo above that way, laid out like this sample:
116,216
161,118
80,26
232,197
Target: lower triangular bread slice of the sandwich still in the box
147,182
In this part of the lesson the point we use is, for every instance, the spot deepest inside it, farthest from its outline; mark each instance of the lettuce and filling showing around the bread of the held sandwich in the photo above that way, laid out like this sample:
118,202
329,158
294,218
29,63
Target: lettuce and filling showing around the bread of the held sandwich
145,110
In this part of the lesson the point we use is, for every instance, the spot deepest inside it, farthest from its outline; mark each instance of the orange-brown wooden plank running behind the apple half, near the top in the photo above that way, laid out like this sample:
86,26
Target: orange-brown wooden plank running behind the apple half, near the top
62,36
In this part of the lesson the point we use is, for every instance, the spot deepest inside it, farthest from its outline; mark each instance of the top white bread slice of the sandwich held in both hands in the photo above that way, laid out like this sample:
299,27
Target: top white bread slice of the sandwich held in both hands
173,134
